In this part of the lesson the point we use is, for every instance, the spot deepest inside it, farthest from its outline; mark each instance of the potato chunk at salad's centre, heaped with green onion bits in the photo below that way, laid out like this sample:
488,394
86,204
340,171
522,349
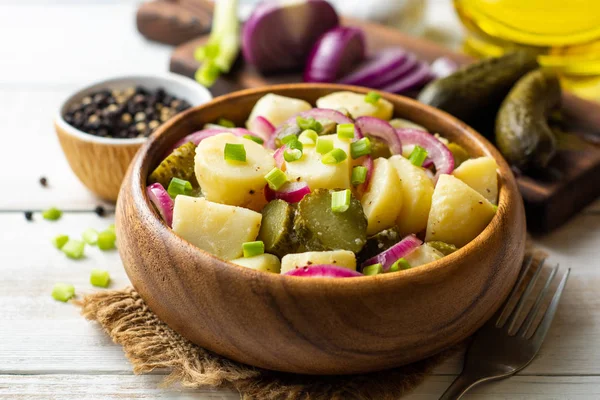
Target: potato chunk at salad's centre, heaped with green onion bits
317,175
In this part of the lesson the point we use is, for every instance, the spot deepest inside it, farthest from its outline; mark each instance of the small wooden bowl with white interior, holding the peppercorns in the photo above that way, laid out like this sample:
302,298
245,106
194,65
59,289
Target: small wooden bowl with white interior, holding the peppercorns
101,163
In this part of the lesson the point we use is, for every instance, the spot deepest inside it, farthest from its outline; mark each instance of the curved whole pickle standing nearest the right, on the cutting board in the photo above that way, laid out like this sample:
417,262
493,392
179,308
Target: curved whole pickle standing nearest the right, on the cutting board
522,132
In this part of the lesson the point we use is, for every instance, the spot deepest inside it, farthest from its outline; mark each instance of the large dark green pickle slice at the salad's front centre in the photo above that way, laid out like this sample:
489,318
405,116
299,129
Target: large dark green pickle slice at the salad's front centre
318,228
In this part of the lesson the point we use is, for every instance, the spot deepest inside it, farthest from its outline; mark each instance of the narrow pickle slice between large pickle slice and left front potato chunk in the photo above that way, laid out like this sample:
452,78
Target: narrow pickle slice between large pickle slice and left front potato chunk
276,228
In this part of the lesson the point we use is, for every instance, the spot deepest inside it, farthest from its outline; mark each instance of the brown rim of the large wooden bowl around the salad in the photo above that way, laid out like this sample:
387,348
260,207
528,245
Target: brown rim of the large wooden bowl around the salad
506,196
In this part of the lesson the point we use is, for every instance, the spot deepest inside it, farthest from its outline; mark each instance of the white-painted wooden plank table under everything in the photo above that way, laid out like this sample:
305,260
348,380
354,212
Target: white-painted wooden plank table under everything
47,351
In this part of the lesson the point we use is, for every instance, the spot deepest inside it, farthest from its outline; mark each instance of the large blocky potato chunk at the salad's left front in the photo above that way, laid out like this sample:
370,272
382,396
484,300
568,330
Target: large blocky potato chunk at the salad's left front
216,228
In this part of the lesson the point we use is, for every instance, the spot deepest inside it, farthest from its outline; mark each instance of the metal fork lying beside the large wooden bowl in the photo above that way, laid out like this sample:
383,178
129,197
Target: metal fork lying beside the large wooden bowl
497,351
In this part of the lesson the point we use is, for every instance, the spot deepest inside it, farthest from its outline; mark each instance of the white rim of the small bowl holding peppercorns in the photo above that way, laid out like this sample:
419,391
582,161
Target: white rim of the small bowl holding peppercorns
167,77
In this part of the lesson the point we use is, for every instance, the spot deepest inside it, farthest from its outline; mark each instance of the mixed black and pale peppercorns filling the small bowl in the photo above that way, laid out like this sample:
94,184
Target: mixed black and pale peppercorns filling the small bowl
124,114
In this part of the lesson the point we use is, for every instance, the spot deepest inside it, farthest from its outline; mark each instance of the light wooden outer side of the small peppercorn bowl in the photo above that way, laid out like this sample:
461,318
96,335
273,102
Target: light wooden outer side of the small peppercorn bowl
104,176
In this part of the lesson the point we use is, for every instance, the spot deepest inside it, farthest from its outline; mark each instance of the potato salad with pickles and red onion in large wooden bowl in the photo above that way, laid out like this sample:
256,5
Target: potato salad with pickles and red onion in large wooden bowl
342,189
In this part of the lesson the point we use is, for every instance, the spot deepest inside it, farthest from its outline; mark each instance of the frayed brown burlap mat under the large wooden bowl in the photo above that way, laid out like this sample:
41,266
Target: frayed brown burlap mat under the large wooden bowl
149,344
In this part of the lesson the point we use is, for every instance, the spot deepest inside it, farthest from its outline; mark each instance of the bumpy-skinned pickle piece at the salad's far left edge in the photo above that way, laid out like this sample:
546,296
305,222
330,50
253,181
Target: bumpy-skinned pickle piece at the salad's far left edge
178,164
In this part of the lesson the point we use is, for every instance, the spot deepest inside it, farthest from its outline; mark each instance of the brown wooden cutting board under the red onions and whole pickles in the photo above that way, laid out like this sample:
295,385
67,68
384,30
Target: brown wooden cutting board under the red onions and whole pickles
571,181
